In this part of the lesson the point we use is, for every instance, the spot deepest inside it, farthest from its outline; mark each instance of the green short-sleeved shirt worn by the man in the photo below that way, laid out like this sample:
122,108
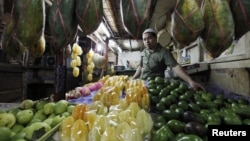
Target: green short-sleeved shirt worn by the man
154,63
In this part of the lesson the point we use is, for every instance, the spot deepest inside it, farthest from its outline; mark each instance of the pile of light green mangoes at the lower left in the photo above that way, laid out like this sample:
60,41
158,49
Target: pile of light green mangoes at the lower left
32,119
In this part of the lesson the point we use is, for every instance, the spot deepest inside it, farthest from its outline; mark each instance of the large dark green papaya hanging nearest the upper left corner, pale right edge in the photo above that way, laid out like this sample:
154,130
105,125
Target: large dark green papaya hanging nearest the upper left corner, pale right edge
30,20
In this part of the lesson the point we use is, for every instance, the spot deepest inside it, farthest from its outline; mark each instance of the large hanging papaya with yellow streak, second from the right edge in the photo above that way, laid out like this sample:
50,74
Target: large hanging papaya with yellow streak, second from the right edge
218,33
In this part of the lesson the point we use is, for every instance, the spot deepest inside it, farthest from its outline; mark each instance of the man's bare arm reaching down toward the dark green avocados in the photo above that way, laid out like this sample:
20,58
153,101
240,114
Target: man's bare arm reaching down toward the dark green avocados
179,71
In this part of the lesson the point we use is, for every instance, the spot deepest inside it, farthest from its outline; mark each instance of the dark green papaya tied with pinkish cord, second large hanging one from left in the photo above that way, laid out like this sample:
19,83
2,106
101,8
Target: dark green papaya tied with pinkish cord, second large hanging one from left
62,22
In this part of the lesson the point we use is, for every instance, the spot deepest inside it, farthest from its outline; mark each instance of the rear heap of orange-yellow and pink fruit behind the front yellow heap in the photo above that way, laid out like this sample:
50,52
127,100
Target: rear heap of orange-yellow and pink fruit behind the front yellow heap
109,90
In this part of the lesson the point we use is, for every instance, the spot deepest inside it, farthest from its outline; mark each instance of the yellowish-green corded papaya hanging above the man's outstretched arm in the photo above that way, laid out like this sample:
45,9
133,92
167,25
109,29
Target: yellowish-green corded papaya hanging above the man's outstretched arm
186,22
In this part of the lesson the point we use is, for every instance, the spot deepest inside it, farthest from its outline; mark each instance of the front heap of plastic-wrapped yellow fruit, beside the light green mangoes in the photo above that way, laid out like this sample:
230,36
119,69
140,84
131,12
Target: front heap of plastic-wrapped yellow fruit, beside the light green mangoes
121,122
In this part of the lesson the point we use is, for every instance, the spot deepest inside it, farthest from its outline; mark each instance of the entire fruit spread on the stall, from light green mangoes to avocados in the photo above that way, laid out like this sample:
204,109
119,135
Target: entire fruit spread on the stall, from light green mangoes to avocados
120,109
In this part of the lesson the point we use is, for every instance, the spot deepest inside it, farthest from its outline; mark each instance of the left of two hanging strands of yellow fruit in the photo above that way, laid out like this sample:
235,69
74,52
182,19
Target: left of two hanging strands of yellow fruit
76,59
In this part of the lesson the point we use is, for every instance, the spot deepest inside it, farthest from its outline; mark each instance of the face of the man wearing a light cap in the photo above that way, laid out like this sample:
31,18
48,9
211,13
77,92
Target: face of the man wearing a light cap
149,40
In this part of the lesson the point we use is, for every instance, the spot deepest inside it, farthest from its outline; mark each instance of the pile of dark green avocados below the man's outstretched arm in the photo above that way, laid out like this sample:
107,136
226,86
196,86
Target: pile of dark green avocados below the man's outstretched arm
184,114
